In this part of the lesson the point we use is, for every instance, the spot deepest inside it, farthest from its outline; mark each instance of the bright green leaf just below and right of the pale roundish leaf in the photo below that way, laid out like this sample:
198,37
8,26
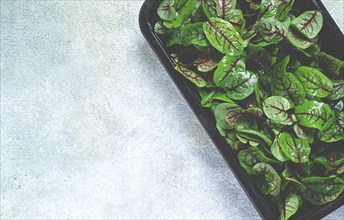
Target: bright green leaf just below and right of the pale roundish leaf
297,150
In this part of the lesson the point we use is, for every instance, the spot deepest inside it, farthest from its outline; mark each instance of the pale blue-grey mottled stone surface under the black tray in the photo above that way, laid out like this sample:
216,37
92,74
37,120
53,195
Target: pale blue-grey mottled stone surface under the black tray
92,126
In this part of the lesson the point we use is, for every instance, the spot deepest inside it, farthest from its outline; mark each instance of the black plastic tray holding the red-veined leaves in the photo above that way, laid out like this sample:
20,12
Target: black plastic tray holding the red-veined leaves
332,42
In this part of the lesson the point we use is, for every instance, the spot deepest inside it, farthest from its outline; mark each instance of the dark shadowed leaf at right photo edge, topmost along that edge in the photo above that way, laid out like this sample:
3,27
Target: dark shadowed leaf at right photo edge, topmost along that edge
329,64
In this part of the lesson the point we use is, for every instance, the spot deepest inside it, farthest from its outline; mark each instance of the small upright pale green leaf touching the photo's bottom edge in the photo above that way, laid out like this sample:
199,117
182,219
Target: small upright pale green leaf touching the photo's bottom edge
290,206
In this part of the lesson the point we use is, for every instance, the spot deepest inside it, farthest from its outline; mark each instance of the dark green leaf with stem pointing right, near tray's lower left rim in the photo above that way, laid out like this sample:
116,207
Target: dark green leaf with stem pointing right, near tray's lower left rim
250,157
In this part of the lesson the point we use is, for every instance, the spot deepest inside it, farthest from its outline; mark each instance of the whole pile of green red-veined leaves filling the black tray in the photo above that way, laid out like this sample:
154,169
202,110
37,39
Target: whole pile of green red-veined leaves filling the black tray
277,98
